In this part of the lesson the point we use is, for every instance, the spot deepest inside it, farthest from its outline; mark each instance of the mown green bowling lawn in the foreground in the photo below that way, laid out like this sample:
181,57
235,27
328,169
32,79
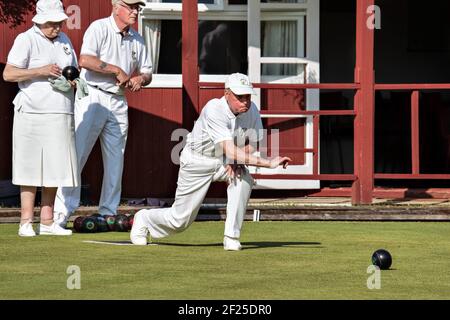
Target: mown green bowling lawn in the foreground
279,260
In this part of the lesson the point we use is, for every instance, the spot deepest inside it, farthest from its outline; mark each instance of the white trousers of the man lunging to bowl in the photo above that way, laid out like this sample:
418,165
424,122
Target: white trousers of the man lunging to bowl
194,178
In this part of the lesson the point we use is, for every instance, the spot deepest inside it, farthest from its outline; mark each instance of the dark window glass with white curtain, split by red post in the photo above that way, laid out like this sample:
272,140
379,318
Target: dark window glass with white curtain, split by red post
222,46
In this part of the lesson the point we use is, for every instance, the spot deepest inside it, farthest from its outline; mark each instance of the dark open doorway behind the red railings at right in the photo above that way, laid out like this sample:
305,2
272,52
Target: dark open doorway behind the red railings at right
411,47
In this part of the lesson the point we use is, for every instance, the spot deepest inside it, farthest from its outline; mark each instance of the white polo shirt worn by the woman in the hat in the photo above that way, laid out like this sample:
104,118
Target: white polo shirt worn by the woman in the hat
32,49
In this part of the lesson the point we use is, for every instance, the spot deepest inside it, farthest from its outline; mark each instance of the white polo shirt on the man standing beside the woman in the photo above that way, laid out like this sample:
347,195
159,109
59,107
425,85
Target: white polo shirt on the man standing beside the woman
103,40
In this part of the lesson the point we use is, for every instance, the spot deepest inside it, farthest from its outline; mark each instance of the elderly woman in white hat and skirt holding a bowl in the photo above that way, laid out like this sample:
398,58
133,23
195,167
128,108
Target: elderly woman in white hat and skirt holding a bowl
43,131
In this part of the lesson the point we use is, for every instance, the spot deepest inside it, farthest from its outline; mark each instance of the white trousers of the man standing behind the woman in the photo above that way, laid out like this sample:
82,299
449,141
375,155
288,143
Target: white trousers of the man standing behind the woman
105,116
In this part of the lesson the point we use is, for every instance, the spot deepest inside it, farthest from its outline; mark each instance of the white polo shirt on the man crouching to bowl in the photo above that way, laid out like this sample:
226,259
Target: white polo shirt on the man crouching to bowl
217,123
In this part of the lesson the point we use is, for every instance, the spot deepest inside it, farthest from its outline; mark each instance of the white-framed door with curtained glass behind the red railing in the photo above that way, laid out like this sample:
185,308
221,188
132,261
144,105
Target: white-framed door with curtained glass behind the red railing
306,62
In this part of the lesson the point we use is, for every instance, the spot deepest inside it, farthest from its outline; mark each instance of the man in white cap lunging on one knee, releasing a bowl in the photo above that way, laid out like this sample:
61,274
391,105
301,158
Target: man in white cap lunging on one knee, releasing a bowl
221,143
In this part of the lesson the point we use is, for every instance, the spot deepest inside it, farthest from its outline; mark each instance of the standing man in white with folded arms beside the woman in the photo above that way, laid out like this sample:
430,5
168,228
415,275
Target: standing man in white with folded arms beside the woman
113,58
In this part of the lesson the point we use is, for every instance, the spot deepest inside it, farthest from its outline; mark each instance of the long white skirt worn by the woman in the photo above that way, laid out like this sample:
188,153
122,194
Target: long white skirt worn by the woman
44,153
